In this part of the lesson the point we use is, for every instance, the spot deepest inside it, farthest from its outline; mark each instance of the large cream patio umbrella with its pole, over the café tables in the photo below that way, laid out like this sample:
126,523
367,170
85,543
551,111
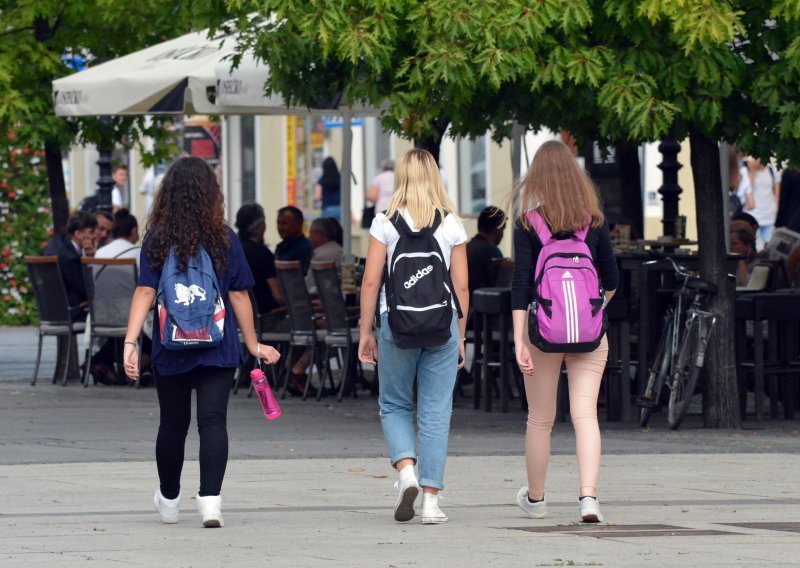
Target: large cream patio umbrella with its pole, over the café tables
190,75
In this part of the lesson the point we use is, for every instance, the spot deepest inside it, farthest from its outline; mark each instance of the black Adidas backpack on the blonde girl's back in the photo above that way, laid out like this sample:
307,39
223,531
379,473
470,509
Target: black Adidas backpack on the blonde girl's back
418,288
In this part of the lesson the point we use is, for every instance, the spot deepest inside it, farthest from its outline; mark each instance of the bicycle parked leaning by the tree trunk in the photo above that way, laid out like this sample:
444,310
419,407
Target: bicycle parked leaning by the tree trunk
679,357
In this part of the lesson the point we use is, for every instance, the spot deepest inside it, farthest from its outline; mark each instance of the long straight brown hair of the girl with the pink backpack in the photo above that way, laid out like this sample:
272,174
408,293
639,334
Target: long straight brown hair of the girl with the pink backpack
559,190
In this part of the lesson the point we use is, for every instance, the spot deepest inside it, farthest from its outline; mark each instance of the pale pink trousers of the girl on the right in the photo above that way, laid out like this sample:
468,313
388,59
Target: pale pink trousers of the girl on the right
584,371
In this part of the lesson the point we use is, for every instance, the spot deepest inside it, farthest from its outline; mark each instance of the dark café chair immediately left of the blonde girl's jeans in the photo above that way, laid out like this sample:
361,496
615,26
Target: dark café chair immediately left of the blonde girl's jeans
339,333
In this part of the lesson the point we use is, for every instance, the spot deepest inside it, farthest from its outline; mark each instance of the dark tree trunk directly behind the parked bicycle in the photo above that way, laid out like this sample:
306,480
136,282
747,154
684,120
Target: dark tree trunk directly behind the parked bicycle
720,392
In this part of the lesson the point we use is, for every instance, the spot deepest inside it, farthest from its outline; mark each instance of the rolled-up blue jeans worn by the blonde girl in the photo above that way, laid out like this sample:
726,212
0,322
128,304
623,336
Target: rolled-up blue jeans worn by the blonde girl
435,370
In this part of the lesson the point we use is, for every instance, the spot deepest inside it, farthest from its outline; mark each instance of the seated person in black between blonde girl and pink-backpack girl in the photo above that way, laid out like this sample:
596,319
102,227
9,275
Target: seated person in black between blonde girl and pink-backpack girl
483,249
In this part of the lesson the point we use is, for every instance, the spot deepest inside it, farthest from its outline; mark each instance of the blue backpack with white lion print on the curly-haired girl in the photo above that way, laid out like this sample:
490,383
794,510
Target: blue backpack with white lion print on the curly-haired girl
191,313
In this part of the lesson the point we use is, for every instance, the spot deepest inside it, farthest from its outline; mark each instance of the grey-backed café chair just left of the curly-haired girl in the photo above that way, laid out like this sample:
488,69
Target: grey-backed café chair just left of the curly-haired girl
110,283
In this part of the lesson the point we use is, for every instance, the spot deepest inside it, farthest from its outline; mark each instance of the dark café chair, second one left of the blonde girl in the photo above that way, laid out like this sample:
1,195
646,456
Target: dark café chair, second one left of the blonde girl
303,322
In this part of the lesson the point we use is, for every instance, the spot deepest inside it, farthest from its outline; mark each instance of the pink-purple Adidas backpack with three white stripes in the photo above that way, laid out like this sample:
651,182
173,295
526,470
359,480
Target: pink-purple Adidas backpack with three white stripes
566,315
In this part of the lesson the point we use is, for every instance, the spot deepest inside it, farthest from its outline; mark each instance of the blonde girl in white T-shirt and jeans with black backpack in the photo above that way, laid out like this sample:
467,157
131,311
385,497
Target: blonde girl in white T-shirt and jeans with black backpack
419,211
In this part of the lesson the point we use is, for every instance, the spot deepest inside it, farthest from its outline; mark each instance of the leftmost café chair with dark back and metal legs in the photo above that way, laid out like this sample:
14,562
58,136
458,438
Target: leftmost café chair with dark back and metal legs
55,313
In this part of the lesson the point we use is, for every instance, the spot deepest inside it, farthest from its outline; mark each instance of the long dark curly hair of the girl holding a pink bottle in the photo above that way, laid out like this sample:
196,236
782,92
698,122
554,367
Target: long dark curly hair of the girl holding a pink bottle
188,212
